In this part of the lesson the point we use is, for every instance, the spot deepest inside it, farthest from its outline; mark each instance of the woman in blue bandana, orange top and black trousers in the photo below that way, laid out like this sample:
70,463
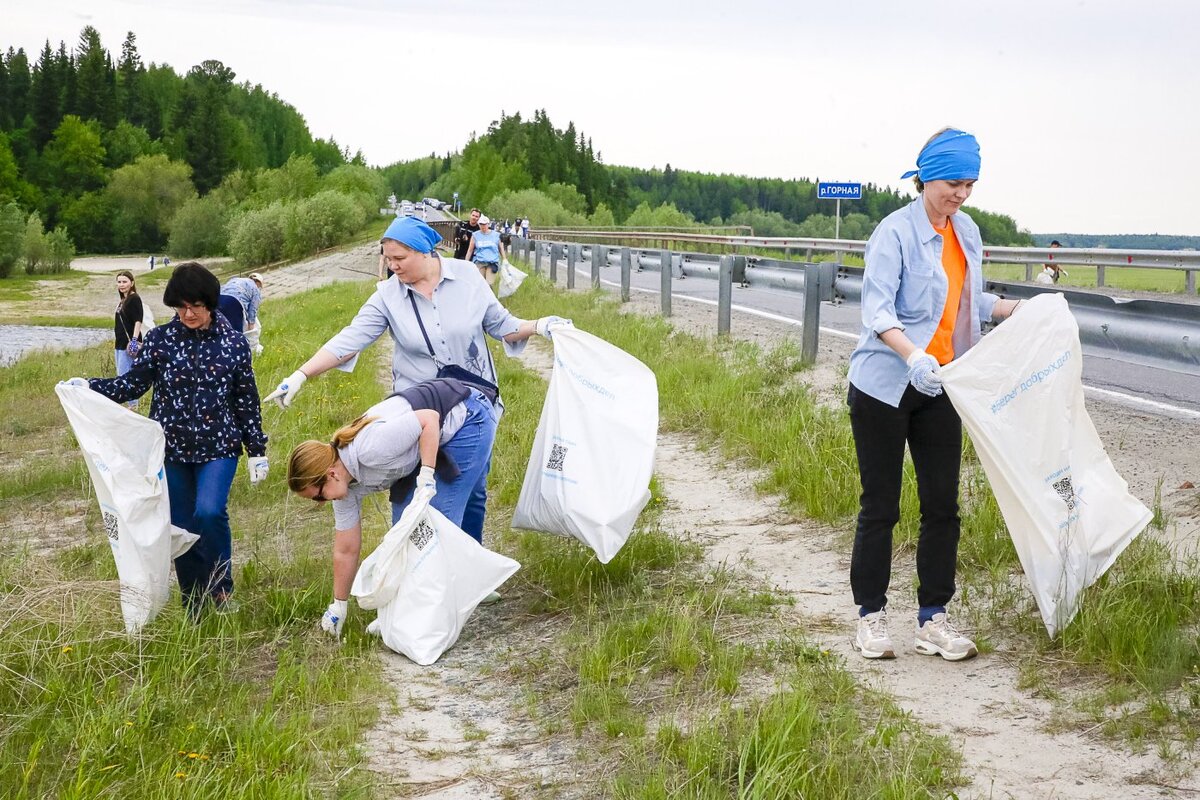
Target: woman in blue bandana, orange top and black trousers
923,305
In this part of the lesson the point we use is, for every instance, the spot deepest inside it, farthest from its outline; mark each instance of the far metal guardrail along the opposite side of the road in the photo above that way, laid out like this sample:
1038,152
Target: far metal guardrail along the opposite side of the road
1100,257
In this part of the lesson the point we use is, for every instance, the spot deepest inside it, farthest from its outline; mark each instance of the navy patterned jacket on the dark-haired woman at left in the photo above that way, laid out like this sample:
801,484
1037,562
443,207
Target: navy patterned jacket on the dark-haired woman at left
205,392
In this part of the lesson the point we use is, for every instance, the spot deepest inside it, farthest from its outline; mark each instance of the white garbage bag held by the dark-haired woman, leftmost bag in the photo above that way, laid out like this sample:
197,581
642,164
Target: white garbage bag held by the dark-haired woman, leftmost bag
124,454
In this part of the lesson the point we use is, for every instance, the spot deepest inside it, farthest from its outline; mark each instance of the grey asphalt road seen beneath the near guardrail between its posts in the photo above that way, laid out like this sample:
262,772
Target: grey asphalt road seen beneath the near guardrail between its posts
1151,389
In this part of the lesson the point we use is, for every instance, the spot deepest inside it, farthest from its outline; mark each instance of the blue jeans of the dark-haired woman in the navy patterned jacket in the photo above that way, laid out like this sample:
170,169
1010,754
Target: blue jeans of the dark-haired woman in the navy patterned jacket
200,503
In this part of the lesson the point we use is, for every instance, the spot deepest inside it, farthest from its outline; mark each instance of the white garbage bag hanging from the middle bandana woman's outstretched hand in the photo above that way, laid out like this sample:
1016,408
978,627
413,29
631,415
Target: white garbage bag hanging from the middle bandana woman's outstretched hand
593,456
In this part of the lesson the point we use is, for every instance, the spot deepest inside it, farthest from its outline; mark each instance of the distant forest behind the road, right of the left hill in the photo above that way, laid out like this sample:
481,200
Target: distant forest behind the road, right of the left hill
562,181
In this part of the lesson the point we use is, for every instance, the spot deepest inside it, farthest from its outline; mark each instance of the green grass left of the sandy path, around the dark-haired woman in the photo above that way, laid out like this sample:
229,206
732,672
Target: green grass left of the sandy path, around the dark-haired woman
254,705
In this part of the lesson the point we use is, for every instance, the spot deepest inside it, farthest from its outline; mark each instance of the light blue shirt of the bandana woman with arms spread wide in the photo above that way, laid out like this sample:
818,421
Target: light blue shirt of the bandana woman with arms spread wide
463,309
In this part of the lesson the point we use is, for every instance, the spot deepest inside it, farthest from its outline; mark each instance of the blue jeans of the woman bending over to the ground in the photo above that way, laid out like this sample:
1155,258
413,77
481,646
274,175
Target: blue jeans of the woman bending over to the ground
465,501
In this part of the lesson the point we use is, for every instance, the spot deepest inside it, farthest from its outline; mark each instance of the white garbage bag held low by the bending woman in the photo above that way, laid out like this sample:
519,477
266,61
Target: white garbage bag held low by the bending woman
427,579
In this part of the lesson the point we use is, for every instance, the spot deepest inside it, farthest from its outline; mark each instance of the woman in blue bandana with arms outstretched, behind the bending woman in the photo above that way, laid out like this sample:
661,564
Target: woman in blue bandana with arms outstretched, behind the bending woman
437,311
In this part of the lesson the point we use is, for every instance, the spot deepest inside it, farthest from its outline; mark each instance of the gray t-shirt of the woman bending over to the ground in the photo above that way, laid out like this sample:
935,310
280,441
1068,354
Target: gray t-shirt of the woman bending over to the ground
385,453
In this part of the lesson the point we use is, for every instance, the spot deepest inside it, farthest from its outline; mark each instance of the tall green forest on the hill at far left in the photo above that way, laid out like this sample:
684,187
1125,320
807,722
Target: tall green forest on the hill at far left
109,151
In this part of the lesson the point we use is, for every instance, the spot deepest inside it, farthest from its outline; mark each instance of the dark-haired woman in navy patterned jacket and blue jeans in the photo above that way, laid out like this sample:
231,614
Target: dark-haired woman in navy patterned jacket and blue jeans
207,402
